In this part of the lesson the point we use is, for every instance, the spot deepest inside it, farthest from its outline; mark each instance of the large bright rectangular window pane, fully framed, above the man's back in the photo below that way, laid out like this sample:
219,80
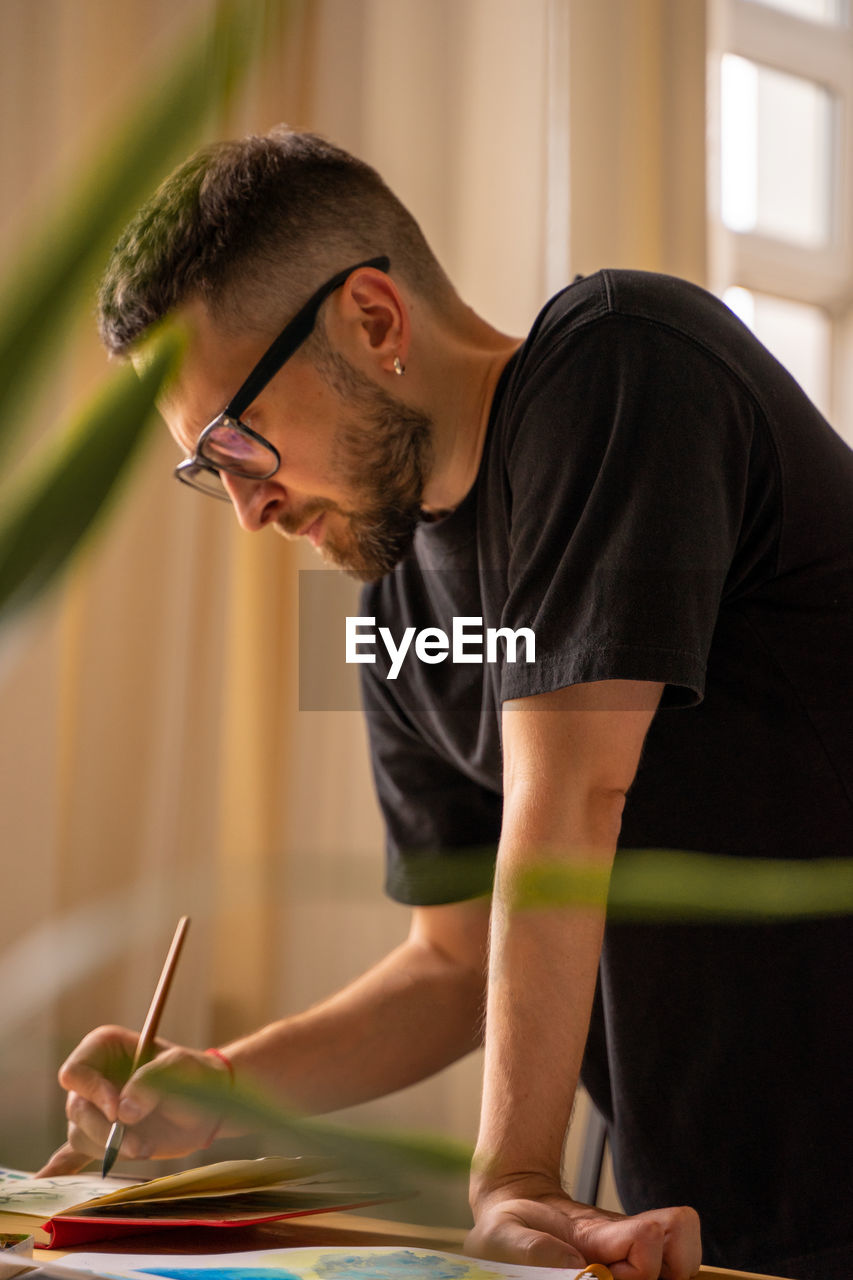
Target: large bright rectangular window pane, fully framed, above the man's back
777,149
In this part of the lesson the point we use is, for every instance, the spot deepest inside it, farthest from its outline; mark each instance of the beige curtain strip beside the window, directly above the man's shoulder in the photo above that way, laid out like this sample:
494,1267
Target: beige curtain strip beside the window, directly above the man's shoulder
638,136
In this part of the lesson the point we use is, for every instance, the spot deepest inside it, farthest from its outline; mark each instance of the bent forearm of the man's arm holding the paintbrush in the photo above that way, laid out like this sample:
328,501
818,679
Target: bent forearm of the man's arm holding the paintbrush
410,1016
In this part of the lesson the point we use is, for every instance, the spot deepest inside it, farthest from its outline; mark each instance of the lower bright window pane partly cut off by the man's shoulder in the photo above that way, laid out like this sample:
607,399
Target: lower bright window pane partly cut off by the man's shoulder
799,336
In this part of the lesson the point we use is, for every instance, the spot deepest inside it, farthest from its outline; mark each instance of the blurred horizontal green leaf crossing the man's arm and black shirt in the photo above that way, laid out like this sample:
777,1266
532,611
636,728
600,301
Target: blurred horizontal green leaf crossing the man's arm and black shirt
672,885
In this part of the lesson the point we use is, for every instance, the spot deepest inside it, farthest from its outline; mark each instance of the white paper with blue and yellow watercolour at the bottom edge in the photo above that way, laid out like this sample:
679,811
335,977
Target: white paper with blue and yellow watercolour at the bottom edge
343,1263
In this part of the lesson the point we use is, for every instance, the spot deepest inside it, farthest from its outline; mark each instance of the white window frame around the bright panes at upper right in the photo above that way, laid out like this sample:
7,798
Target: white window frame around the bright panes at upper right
820,277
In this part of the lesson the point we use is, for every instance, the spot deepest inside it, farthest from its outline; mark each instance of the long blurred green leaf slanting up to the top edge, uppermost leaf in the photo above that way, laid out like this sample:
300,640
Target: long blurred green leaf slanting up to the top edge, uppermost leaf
57,269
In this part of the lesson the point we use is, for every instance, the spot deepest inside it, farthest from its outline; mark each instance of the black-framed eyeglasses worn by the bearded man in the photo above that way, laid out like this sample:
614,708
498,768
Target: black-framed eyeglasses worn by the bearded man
227,445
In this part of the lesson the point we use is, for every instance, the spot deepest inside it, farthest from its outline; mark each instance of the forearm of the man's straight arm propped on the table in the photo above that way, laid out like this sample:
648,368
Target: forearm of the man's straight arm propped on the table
542,981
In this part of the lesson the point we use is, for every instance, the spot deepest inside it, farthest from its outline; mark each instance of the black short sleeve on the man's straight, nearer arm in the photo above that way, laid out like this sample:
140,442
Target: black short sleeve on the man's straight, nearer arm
628,472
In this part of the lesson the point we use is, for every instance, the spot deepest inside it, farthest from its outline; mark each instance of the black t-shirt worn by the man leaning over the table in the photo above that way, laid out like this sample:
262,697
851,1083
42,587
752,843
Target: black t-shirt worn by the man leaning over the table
658,500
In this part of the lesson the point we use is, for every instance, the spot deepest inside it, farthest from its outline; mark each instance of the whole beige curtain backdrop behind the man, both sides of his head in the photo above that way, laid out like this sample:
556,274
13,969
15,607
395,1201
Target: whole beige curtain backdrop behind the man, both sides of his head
153,755
